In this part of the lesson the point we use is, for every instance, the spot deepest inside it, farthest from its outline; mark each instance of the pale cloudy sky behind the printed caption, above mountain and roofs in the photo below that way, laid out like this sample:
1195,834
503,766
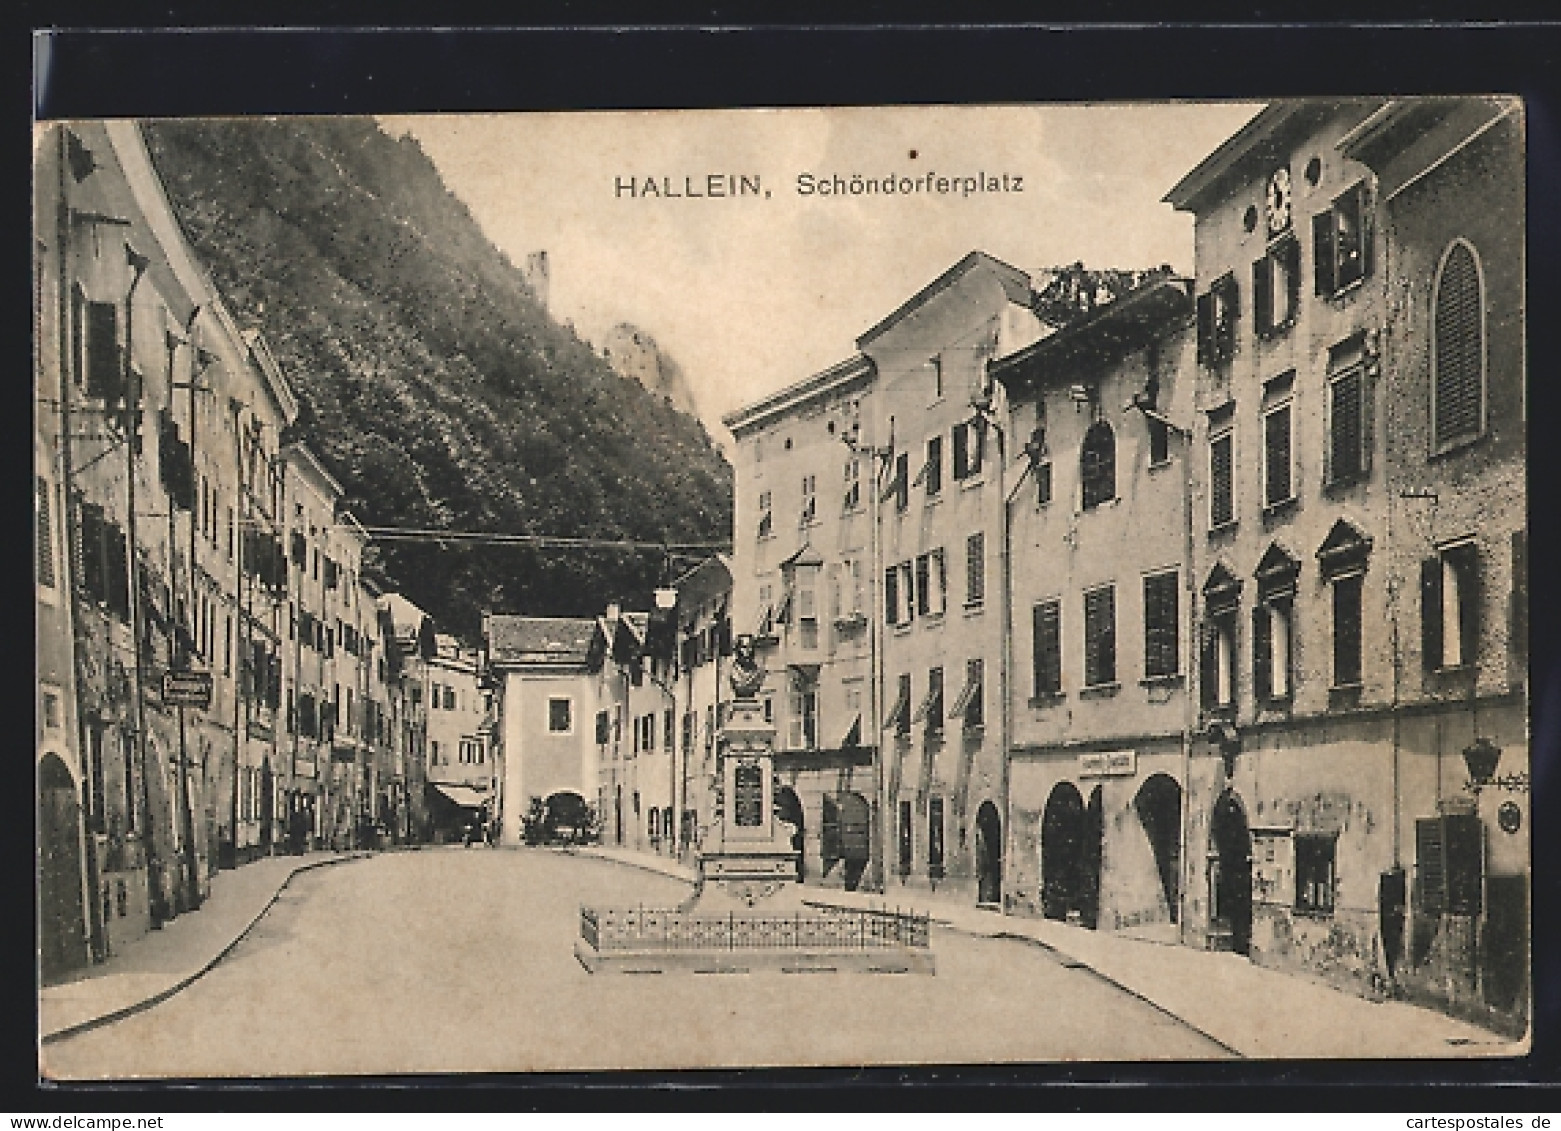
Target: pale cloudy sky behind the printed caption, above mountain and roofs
755,292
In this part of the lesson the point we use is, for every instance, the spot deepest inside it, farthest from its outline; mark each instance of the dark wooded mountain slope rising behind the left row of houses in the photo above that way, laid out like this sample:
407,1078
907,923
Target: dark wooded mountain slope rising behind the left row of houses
433,383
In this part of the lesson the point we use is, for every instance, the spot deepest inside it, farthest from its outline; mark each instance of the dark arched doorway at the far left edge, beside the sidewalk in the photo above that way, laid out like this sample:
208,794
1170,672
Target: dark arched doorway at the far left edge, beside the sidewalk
62,935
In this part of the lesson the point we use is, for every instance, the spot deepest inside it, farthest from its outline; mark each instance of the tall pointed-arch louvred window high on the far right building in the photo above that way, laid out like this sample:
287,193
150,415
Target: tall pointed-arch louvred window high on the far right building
1457,349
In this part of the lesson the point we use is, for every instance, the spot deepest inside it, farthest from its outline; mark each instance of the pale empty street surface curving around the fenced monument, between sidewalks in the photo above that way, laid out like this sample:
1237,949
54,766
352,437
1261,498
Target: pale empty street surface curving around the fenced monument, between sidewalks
457,960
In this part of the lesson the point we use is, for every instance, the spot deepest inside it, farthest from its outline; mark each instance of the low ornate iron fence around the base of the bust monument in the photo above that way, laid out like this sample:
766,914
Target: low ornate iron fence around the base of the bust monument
655,929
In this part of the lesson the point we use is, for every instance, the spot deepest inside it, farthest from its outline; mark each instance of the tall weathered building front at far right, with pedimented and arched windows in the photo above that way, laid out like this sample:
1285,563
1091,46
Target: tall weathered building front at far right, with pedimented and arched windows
1360,516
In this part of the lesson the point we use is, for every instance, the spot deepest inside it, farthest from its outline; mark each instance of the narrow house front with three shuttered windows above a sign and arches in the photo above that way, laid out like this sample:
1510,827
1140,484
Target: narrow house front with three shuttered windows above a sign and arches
1098,530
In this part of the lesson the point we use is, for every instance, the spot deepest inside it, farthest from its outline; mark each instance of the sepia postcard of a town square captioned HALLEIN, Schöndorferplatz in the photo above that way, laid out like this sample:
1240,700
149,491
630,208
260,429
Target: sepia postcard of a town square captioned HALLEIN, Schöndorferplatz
769,589
